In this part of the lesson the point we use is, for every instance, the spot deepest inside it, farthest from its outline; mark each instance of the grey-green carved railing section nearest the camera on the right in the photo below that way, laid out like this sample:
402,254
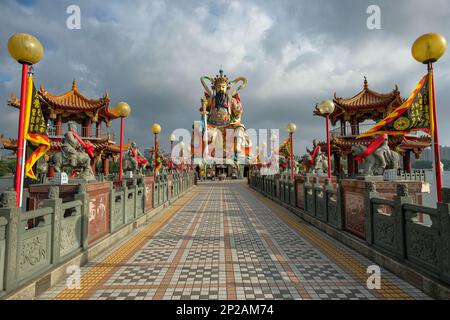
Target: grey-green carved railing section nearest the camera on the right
398,228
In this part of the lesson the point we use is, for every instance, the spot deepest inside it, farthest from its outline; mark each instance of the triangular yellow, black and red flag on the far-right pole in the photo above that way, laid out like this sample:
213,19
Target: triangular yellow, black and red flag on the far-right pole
416,113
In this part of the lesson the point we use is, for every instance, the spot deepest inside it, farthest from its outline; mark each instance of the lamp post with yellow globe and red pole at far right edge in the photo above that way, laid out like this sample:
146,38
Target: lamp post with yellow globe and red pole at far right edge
427,49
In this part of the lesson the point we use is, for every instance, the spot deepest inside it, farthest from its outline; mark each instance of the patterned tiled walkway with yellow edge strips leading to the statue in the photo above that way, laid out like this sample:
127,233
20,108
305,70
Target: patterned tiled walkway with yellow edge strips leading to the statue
225,241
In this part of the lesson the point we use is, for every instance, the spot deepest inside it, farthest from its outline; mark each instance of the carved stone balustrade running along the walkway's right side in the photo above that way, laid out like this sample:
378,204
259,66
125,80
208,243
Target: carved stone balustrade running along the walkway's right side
386,215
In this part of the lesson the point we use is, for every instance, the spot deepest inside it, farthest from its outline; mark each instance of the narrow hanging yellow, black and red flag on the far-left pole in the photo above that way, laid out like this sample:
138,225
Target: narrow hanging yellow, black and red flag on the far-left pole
35,130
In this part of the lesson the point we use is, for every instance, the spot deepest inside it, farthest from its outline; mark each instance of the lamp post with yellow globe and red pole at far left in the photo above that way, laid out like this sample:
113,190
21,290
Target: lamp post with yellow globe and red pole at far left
27,50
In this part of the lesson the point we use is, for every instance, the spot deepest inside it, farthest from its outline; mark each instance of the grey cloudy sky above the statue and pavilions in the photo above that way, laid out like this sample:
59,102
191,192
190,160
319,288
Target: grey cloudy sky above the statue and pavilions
294,54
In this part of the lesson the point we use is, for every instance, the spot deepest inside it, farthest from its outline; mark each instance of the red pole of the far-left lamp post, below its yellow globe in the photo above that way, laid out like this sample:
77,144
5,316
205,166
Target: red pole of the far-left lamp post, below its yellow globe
20,137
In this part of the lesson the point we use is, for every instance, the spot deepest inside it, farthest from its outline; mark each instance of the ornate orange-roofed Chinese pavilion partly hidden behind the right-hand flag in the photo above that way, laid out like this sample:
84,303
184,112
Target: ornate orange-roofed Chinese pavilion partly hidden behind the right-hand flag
349,117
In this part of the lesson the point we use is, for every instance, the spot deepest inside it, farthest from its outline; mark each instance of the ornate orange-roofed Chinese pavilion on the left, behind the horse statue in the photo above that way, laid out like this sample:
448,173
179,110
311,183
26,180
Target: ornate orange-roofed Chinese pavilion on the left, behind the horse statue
90,114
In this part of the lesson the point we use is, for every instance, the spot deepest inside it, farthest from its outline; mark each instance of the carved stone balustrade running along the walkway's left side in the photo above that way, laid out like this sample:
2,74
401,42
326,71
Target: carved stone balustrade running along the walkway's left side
61,225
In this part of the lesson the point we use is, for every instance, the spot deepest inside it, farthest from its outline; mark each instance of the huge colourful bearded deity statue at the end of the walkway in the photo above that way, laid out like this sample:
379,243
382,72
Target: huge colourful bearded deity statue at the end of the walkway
223,111
